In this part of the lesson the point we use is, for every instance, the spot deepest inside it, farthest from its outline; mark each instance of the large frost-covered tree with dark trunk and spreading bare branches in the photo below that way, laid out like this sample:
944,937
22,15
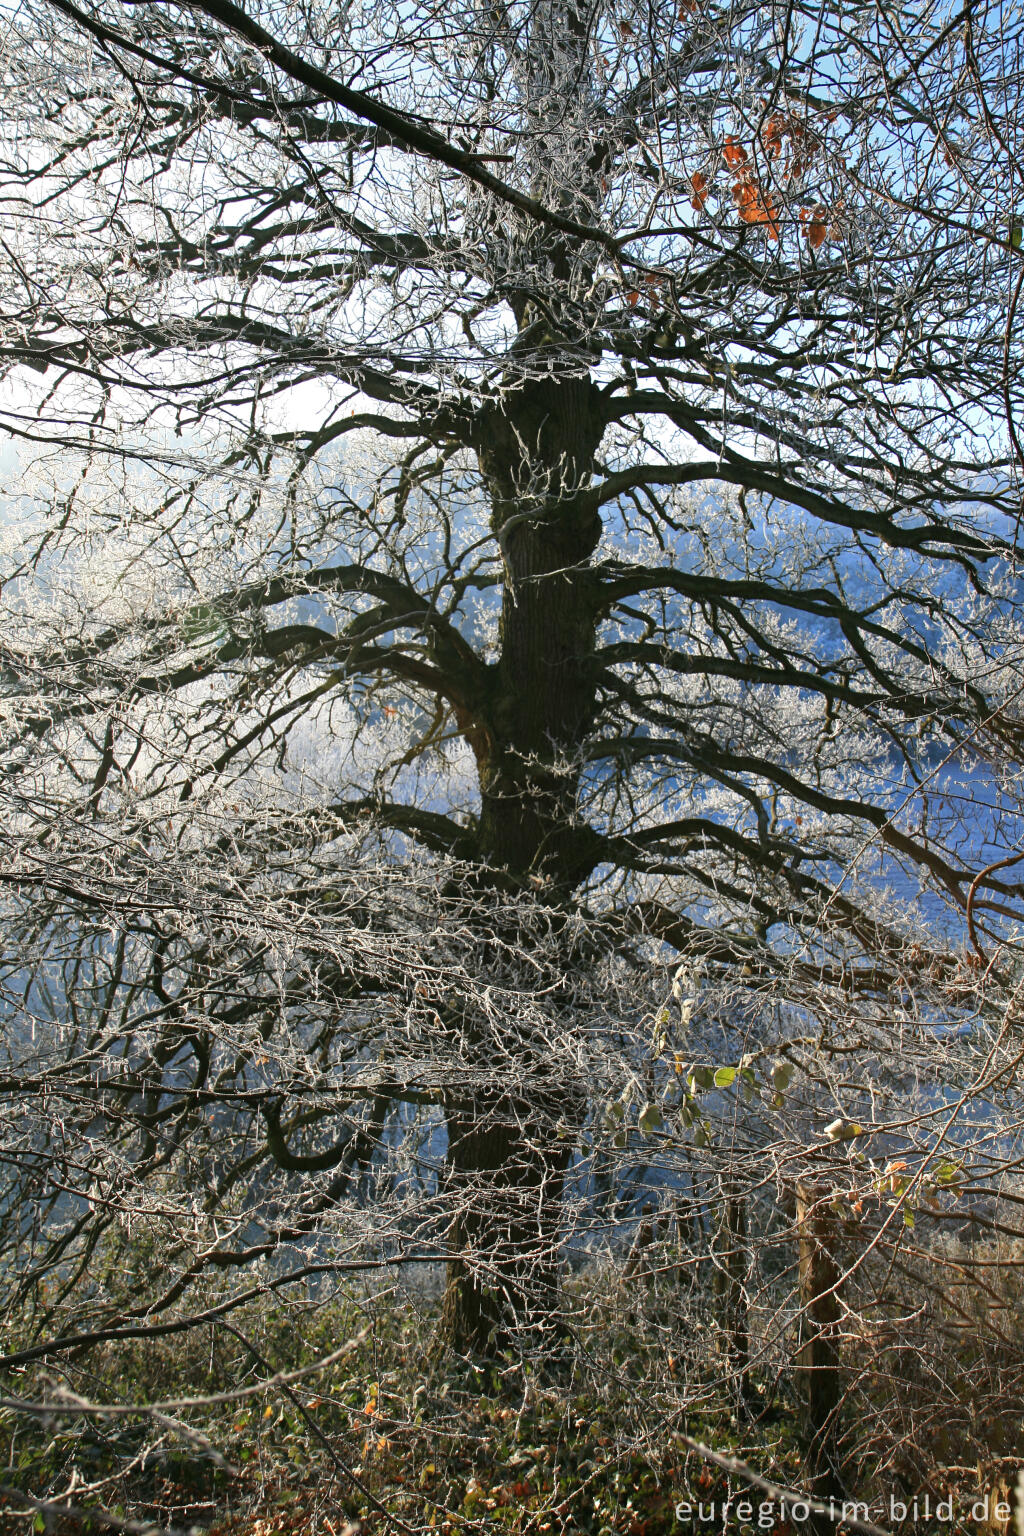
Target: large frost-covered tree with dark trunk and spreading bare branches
526,495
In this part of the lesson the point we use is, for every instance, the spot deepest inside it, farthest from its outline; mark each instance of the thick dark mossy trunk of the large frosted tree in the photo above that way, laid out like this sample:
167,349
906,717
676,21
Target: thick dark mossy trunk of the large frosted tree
509,1151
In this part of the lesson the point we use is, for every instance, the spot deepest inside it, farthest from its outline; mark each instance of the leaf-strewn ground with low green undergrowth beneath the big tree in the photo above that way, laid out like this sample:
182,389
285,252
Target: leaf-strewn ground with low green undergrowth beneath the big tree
391,1438
